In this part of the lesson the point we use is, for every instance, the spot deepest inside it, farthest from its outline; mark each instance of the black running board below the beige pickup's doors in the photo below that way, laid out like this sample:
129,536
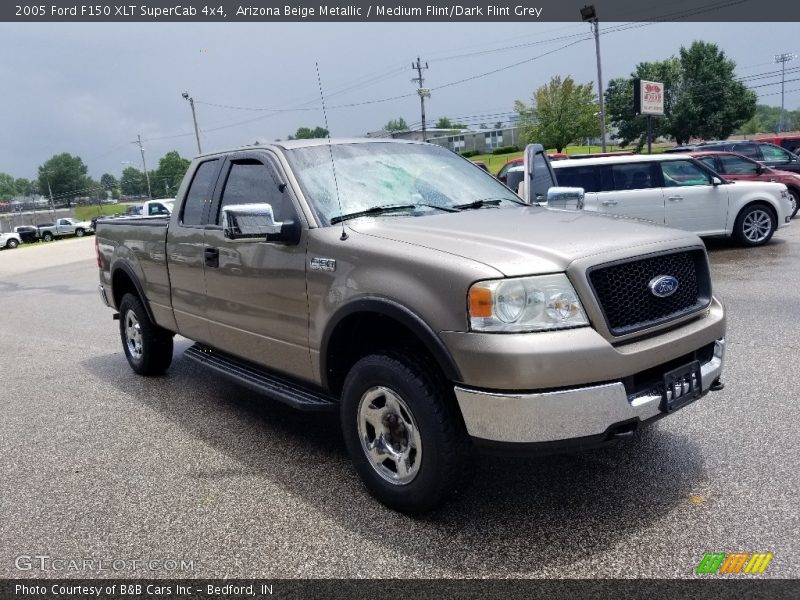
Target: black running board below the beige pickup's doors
279,388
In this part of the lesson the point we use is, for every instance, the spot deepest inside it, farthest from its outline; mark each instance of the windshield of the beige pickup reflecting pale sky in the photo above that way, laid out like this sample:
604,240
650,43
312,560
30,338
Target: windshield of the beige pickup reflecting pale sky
378,174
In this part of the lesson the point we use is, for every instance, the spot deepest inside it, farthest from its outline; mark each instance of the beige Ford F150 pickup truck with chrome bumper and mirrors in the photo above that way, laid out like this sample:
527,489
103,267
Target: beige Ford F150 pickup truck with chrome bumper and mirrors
406,288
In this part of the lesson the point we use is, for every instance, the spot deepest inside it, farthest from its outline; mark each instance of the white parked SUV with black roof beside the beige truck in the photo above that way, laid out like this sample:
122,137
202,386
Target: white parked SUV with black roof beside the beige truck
679,191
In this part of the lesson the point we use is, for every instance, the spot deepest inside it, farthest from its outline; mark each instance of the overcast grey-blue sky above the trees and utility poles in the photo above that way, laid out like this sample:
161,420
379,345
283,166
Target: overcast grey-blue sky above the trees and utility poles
89,89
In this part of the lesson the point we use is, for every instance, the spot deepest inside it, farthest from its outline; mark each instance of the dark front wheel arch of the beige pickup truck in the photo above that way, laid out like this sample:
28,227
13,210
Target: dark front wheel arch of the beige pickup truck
351,334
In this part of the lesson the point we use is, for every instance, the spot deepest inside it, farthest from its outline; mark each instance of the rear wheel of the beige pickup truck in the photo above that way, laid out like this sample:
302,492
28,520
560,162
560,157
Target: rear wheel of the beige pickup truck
147,346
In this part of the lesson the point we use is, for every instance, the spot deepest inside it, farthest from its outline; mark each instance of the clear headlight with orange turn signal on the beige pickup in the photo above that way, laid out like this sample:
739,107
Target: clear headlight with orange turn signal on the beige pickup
525,304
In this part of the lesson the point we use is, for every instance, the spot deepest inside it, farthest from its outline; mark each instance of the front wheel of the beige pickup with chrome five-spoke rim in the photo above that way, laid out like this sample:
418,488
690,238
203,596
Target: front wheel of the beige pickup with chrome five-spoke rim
404,434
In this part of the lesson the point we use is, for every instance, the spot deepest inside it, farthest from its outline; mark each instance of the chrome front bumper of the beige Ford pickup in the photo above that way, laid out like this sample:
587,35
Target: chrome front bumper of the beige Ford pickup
564,414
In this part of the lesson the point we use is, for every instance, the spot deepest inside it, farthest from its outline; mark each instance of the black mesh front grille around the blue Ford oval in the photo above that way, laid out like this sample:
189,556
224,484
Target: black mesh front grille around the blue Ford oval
628,304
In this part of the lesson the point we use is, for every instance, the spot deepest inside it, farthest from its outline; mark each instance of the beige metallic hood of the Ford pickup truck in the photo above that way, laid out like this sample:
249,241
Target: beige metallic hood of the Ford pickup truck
529,240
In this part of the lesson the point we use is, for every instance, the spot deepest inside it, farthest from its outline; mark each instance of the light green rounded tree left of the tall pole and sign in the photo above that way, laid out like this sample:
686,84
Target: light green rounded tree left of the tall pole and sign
563,112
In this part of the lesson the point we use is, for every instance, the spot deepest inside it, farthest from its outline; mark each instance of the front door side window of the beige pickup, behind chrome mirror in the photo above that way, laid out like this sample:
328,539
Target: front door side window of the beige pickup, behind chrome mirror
253,182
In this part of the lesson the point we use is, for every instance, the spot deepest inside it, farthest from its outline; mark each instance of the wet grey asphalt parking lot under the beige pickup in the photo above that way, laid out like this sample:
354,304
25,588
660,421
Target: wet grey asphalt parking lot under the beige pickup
100,463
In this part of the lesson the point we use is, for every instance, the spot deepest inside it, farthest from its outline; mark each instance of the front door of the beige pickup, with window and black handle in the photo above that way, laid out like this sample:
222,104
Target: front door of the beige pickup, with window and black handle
257,305
